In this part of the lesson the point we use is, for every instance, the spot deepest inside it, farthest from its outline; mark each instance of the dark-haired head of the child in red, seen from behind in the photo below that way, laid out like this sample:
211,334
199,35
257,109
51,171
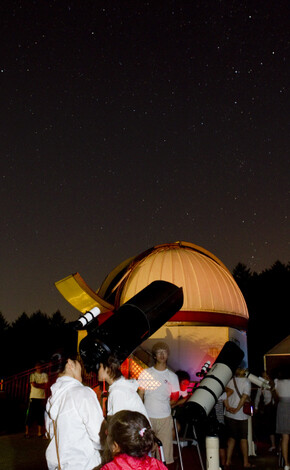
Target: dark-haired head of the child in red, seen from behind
129,432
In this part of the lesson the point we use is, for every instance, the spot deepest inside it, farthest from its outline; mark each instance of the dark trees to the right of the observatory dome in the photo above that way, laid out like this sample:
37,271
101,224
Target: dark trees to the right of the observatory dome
267,298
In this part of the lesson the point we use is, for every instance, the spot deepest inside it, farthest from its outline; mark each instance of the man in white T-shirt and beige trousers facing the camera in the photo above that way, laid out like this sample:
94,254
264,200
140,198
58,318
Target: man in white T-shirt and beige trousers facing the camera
159,388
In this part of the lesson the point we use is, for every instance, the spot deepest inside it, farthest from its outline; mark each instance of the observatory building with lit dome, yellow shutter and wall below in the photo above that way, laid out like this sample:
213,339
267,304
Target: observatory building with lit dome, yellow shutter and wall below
213,312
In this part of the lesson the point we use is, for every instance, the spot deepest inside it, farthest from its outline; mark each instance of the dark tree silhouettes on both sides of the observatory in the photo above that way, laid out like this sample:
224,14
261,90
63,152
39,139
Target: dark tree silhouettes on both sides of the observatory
29,339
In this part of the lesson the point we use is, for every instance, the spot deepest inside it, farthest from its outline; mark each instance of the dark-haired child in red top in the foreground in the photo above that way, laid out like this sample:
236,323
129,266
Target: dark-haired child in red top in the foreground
130,438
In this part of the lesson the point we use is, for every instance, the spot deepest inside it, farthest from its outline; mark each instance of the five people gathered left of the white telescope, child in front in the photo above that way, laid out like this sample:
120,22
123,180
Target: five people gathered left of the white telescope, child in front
137,418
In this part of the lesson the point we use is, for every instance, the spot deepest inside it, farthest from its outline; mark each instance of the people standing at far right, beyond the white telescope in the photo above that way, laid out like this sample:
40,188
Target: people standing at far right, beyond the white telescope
276,416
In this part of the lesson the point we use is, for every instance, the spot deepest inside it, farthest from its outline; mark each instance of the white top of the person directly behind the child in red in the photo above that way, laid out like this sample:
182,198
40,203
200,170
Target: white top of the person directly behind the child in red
123,396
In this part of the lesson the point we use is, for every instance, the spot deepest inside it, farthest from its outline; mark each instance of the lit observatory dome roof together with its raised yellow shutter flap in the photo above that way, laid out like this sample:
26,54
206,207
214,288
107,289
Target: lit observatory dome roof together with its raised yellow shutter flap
211,295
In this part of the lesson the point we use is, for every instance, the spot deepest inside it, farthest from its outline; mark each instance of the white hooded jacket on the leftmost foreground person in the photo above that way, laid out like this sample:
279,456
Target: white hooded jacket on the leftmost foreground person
77,414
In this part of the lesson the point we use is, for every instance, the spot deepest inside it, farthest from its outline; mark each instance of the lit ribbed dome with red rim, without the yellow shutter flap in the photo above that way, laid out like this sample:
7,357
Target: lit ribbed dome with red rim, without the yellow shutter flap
208,286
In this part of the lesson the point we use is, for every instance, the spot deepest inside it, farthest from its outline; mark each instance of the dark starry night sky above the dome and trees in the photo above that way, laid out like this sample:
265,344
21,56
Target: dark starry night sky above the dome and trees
126,124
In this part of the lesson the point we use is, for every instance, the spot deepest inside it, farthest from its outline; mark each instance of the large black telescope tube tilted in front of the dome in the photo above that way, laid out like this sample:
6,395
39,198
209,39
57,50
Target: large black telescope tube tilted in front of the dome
131,324
